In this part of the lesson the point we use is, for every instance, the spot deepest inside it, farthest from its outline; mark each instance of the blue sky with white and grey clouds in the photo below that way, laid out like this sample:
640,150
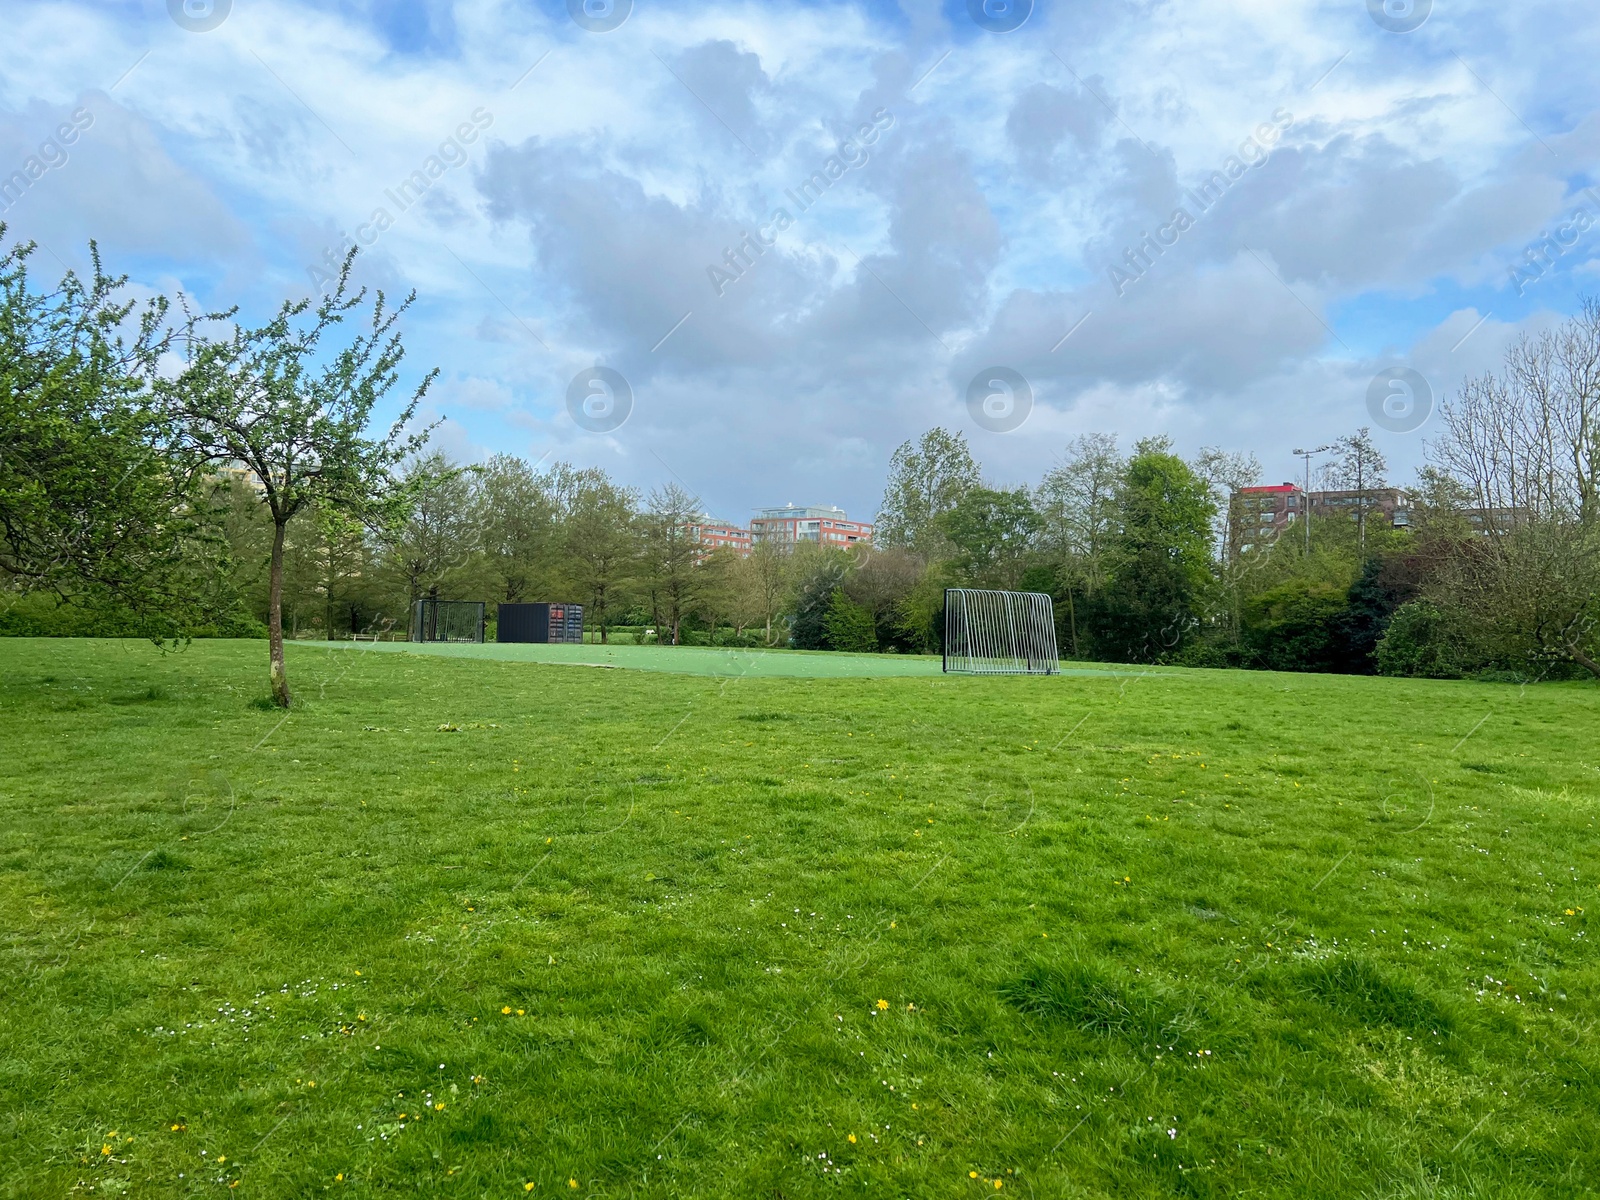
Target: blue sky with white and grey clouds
793,236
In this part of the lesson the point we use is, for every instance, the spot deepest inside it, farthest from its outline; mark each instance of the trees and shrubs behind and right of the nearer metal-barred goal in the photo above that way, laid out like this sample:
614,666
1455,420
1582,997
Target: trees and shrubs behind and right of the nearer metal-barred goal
1150,558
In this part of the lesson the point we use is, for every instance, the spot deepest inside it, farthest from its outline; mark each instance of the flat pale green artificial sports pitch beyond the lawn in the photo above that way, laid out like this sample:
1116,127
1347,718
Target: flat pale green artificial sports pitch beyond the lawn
682,660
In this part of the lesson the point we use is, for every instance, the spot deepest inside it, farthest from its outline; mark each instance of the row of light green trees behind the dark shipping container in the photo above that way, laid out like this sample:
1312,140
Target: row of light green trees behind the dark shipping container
505,532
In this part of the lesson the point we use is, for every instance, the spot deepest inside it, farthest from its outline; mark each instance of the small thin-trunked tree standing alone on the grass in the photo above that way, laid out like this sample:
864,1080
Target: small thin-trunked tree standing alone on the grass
294,414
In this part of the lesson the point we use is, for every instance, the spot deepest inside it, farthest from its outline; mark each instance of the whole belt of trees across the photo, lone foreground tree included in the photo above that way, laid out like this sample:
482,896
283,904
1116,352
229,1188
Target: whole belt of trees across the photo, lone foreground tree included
180,473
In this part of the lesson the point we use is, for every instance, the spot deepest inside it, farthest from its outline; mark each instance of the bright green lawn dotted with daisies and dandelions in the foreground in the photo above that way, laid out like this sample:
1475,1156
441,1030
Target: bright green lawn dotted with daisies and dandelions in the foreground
473,927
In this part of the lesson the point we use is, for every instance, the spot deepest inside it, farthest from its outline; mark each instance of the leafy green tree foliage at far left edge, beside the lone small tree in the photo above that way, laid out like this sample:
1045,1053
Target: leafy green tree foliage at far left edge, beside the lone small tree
95,500
